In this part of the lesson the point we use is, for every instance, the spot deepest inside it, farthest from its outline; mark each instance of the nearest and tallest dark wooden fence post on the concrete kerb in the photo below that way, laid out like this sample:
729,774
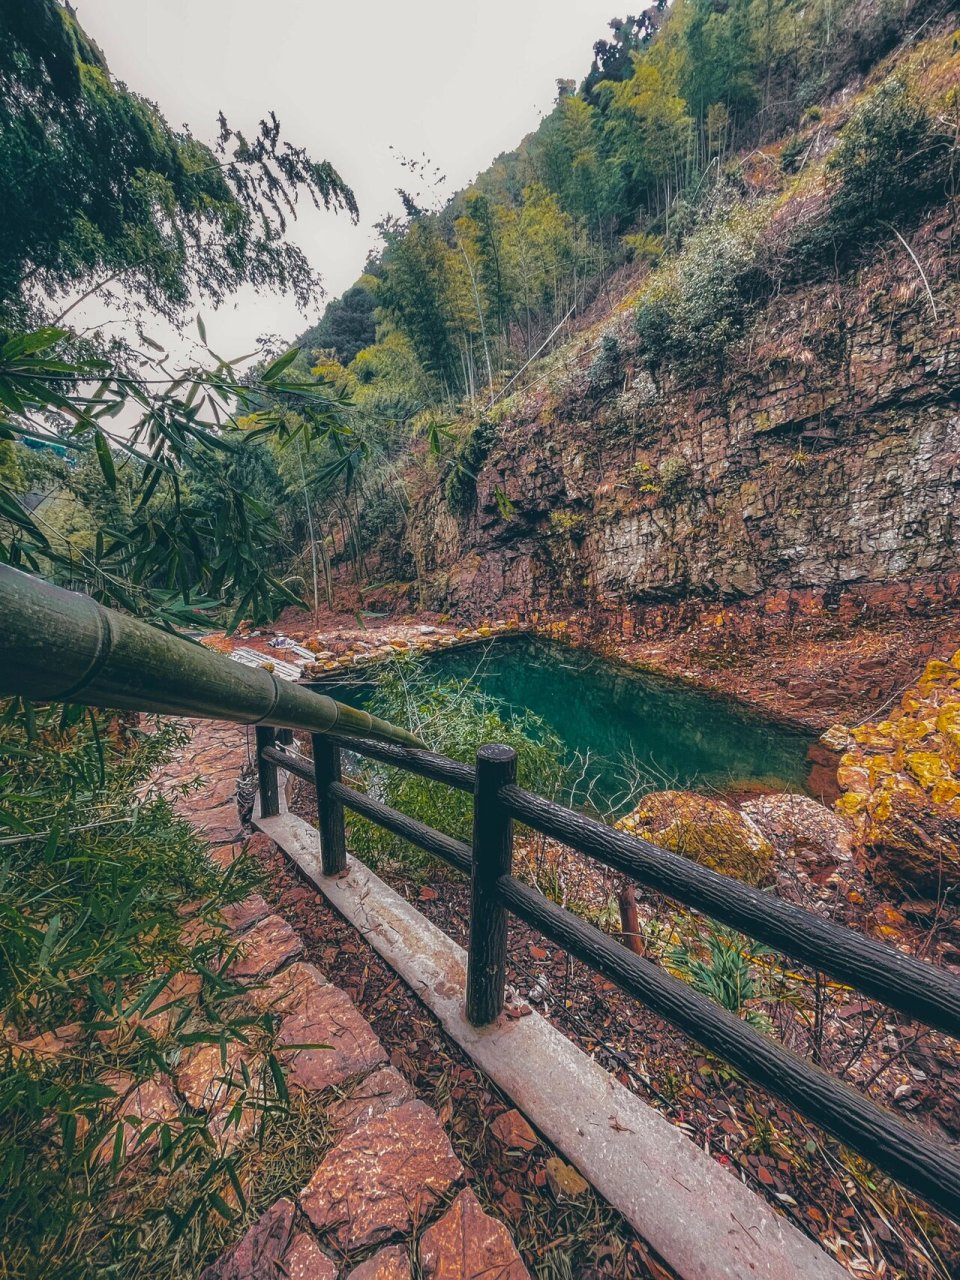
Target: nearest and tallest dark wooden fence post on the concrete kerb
493,857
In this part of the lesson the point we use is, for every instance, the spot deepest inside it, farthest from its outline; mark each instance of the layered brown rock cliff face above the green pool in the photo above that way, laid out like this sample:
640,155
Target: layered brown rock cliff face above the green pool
822,463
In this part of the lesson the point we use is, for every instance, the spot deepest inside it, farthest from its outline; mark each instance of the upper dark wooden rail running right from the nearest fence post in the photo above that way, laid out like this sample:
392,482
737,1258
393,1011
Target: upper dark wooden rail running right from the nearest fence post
911,986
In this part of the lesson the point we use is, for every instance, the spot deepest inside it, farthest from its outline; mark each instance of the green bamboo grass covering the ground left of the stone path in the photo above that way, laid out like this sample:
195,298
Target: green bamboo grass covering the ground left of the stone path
95,879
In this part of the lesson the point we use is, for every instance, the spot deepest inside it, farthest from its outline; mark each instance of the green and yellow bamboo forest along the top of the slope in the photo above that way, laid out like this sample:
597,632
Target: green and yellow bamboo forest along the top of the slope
618,173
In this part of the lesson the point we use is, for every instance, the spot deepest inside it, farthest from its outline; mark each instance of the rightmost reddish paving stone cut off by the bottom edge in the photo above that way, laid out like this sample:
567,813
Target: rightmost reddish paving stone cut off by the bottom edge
469,1245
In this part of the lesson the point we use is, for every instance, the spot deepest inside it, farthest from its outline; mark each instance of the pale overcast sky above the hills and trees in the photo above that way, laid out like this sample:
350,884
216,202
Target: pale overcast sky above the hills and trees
458,81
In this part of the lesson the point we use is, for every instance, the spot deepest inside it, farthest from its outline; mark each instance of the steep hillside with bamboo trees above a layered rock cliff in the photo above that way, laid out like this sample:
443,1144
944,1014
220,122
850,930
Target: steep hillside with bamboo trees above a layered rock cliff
685,341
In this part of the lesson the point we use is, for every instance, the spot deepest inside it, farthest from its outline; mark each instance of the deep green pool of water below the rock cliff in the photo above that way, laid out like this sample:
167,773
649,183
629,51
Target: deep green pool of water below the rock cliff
627,721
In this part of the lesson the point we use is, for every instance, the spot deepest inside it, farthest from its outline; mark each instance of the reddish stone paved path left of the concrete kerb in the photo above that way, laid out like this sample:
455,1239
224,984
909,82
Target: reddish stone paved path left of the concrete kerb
388,1200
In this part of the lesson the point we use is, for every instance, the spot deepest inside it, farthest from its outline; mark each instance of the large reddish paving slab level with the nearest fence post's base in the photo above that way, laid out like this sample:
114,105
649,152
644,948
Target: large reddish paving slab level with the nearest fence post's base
327,1018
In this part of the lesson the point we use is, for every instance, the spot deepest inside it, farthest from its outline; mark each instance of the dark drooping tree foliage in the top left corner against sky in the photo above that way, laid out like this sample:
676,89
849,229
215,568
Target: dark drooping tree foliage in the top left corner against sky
95,184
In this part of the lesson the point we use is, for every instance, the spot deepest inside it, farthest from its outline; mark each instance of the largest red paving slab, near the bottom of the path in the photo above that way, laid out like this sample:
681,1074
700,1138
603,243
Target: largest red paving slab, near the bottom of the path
383,1178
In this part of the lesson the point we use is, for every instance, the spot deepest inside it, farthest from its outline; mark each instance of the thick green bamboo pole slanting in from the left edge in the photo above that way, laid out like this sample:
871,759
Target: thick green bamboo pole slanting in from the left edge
61,646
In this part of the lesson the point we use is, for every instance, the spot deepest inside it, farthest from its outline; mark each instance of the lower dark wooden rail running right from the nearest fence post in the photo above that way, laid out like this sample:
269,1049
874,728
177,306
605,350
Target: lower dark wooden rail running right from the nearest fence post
899,1148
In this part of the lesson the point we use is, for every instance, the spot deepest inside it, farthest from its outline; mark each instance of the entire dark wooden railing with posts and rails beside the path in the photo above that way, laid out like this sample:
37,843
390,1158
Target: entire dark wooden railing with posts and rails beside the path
921,993
